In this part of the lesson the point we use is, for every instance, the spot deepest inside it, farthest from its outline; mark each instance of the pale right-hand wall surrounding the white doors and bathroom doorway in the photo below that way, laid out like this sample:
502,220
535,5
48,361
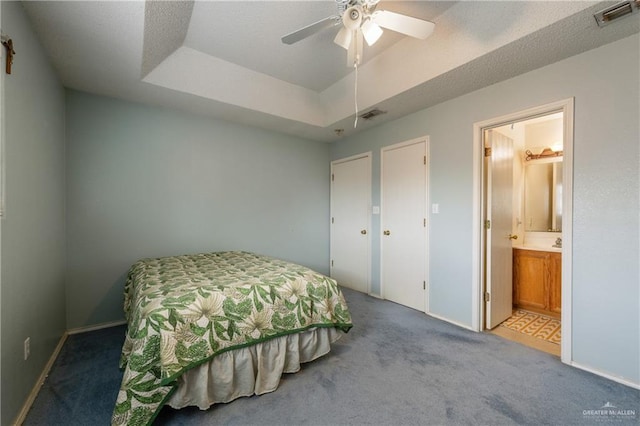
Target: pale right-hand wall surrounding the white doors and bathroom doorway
606,281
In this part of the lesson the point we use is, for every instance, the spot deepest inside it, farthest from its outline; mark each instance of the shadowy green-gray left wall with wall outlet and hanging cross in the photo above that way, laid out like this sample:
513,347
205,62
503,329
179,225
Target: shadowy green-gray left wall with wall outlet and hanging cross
33,234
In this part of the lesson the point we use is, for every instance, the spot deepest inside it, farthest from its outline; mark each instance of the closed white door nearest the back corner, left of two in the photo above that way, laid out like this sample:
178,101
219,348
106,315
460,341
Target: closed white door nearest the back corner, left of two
350,205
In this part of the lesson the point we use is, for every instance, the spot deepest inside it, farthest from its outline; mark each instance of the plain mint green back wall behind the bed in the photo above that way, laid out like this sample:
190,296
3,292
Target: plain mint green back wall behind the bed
146,182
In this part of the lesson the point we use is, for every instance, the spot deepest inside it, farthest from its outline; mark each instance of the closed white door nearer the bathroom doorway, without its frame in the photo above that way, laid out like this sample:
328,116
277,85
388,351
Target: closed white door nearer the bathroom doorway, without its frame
403,222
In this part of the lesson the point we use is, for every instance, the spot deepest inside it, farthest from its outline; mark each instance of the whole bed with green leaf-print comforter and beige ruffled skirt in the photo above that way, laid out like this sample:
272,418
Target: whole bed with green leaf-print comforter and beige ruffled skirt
212,327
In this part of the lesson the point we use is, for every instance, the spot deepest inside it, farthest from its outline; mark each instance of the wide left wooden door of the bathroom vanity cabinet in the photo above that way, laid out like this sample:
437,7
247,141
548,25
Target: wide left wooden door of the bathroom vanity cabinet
530,277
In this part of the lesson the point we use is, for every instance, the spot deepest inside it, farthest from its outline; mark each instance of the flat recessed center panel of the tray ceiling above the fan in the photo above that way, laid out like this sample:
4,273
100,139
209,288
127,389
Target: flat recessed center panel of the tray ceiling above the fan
315,63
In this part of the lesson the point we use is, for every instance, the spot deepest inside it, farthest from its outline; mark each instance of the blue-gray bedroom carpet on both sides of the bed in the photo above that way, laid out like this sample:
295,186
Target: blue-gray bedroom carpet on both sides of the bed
396,366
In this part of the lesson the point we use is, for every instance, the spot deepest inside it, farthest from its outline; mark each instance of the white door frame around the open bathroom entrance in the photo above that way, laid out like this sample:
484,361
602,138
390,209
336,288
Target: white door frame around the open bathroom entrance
478,241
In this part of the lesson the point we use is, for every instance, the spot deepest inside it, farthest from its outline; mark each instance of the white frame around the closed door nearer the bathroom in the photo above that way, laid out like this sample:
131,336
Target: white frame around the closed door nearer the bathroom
424,139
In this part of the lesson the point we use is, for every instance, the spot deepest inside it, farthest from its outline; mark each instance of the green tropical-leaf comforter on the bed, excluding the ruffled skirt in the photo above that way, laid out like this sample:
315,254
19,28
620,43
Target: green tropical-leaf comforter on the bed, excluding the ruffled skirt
184,310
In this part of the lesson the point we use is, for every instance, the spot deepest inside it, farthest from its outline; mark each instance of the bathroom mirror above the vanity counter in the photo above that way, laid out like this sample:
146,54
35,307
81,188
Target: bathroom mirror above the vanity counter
543,195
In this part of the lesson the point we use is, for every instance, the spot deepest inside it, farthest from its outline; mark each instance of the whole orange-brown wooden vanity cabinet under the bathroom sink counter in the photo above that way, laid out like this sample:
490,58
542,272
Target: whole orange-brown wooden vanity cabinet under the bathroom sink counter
537,281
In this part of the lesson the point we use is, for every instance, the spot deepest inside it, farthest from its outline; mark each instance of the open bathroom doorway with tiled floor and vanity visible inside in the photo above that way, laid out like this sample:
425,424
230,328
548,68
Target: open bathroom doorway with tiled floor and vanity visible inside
524,185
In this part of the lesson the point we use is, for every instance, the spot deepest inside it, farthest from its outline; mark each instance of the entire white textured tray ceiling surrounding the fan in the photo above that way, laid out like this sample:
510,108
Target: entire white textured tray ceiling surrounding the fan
225,58
